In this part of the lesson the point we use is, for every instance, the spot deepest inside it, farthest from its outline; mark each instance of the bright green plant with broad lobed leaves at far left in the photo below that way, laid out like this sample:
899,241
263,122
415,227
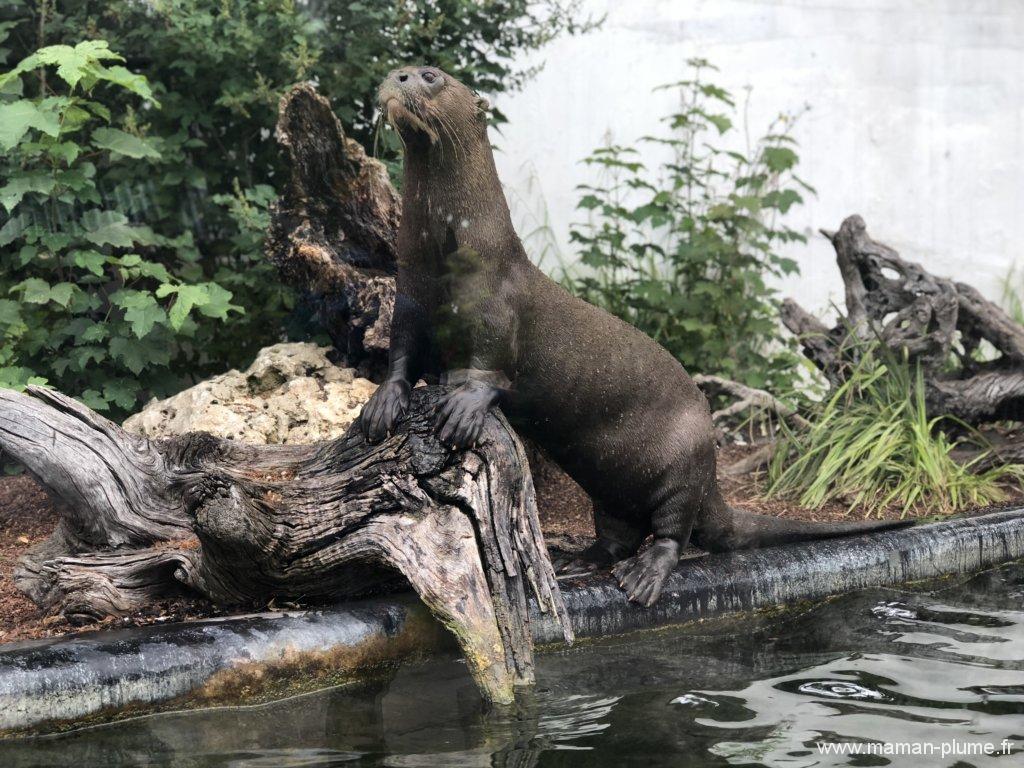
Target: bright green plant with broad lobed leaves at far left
91,303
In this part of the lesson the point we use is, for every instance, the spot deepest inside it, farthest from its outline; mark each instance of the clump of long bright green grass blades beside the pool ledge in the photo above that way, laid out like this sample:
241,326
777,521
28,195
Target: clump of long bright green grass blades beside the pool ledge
873,446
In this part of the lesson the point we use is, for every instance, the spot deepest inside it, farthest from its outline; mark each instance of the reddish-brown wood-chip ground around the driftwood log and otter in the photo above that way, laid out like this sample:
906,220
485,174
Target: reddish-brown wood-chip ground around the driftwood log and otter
27,518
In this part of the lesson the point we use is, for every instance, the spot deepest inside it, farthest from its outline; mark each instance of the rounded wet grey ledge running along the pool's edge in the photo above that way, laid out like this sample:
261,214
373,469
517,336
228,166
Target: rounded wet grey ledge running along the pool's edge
95,676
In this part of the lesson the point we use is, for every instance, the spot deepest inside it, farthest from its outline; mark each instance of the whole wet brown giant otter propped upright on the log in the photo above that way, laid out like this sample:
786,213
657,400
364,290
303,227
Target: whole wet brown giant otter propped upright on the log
612,407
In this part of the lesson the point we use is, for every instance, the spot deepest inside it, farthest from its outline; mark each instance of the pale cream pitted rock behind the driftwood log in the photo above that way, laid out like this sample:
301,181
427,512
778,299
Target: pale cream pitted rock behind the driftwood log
290,394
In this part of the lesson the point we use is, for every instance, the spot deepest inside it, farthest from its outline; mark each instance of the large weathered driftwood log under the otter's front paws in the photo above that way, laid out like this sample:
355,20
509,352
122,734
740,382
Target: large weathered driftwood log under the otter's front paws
143,521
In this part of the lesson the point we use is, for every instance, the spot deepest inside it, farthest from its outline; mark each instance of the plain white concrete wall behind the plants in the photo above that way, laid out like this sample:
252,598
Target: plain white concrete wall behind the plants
917,117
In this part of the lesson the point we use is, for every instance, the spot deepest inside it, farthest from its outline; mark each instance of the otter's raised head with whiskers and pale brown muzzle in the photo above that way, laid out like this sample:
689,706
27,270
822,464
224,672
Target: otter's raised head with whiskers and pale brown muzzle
425,103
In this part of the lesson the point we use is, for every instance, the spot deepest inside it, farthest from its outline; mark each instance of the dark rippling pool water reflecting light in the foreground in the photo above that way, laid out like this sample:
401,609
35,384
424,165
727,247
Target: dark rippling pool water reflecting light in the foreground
923,670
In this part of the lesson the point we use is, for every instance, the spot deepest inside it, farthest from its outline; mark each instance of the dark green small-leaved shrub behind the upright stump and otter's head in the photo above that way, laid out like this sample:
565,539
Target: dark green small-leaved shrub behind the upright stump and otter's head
219,69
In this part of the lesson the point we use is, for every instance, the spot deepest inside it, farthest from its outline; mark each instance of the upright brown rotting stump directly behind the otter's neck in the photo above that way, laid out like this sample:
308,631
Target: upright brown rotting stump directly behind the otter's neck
333,231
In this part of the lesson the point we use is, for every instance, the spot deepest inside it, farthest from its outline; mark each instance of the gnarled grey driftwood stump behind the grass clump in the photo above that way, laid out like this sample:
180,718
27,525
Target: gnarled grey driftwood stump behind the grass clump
940,324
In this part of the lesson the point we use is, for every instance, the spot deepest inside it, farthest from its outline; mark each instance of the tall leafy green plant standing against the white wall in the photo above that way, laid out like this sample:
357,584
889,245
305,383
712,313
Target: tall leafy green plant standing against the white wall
685,253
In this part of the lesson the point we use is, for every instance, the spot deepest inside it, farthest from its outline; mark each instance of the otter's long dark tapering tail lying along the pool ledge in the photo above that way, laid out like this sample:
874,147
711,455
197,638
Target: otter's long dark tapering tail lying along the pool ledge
722,529
